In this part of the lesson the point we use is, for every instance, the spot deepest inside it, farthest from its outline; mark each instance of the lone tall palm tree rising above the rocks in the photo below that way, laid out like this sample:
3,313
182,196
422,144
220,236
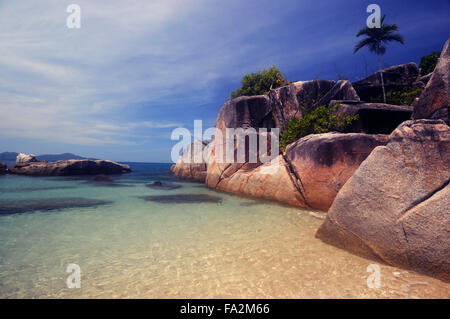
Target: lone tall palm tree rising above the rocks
376,40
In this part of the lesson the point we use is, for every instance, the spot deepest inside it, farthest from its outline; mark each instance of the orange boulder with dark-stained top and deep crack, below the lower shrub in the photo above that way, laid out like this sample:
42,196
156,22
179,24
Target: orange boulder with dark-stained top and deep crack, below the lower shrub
309,175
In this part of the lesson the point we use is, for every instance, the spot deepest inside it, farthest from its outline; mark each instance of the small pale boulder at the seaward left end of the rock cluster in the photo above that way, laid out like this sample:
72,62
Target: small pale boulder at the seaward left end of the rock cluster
187,168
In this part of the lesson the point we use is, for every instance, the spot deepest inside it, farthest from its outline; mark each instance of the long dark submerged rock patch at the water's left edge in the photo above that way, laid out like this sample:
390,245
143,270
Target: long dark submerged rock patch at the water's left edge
8,207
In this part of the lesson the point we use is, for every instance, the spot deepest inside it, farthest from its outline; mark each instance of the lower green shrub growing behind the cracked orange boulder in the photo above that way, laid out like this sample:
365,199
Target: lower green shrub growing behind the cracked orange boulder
320,120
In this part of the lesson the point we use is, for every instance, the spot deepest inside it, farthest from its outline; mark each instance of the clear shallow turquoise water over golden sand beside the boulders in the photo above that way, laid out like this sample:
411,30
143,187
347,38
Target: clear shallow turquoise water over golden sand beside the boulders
130,247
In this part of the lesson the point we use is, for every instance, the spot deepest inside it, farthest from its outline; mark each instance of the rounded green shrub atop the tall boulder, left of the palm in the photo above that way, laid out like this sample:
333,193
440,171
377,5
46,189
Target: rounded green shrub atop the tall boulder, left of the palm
260,82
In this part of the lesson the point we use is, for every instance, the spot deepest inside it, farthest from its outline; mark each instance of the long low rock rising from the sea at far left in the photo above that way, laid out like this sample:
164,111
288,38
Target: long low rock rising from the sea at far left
28,165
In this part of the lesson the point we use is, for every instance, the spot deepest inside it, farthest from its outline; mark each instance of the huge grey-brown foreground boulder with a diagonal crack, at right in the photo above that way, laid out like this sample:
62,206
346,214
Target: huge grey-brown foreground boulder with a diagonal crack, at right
395,207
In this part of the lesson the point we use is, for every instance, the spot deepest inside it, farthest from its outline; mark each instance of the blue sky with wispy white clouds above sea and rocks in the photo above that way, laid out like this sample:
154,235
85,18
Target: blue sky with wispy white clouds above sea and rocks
135,70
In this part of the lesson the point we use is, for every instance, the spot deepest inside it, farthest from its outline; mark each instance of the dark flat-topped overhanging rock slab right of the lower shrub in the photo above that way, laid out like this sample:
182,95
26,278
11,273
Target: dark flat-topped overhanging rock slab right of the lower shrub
373,118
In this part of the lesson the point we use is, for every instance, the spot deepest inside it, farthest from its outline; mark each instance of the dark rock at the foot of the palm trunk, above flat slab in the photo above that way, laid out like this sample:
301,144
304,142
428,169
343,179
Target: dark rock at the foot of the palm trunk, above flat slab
395,77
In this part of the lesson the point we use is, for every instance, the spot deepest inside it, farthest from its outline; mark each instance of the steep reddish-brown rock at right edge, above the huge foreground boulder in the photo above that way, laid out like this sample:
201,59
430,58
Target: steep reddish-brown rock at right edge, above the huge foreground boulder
435,99
